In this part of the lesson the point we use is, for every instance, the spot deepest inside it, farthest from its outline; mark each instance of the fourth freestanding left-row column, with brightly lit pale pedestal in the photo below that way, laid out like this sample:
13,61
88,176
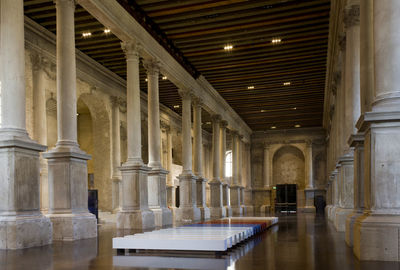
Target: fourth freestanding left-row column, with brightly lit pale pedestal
157,176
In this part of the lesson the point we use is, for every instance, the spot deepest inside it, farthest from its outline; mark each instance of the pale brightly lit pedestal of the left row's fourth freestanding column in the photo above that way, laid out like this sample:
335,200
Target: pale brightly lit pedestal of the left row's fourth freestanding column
157,194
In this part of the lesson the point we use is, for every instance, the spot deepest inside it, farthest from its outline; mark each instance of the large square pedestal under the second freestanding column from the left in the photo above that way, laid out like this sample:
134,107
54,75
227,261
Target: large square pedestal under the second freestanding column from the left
68,192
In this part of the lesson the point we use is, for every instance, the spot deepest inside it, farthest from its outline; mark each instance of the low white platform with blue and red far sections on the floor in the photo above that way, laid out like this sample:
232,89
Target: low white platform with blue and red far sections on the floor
197,237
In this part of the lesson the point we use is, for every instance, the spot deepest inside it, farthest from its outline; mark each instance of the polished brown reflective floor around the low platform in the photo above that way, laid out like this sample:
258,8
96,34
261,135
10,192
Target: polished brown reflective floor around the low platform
298,242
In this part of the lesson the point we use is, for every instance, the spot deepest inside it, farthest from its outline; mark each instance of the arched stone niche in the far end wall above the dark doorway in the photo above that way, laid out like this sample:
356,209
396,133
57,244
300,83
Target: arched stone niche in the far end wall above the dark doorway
289,166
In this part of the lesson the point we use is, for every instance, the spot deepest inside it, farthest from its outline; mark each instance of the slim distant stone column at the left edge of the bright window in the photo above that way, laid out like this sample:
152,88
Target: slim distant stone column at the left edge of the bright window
225,185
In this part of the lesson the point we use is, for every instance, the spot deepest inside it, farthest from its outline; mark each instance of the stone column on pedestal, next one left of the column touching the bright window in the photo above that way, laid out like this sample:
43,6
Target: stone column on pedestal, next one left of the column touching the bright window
216,207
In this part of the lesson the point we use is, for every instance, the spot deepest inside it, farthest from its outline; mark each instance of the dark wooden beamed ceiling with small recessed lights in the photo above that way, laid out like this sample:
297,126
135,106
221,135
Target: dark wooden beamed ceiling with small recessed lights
196,31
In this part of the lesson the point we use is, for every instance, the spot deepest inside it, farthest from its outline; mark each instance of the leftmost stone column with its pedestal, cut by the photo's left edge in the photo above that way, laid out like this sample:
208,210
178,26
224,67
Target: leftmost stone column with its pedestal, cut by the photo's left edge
22,225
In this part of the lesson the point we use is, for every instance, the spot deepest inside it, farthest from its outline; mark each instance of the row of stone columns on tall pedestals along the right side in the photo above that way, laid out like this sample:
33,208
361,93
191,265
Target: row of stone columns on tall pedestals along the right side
365,198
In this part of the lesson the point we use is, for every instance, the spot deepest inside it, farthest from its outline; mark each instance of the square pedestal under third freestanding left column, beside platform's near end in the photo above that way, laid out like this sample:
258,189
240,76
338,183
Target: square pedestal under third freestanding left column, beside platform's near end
135,212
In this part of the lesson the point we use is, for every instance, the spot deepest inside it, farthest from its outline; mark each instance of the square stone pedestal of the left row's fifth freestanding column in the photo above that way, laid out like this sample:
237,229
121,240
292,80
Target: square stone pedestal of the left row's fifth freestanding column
188,211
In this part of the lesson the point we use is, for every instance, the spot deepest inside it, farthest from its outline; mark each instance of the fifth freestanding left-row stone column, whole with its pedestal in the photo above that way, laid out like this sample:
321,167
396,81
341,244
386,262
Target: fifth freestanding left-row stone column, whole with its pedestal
188,210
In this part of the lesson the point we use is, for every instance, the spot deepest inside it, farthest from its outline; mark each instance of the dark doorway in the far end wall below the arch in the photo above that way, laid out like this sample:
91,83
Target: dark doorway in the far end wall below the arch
286,199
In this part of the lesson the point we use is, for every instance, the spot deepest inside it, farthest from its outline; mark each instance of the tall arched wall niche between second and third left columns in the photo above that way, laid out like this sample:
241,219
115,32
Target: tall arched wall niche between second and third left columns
100,164
